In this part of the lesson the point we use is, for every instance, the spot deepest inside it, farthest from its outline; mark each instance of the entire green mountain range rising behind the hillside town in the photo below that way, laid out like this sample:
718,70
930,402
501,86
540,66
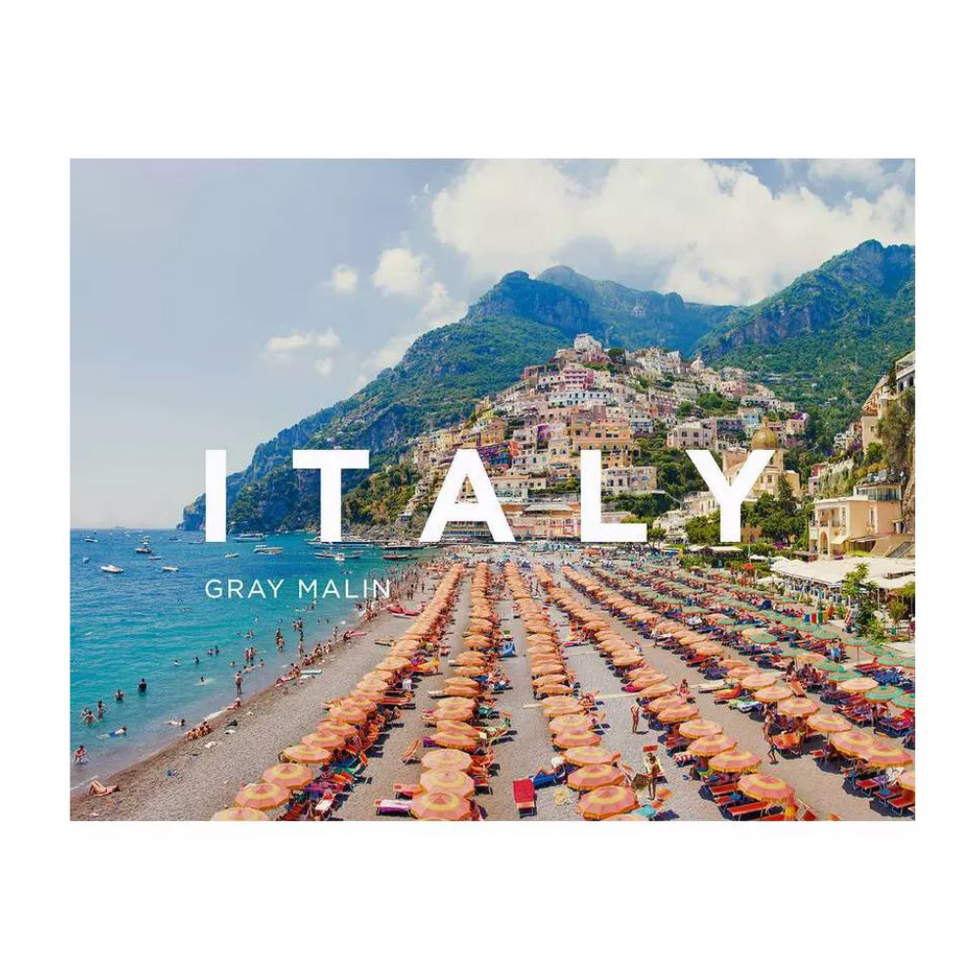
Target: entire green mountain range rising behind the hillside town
830,335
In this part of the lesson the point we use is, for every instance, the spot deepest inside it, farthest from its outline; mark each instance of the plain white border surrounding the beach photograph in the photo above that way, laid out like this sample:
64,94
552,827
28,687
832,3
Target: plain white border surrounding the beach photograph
483,79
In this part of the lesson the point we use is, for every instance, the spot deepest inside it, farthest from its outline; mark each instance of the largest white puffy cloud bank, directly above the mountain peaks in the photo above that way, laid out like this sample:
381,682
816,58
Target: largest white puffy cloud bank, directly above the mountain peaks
721,235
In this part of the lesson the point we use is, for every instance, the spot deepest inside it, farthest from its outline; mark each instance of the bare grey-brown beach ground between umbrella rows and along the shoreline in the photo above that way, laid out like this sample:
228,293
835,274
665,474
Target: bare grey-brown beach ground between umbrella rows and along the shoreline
191,780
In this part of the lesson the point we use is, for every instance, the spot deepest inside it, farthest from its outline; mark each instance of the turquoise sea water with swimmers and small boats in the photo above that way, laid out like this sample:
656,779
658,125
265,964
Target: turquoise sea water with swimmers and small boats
133,625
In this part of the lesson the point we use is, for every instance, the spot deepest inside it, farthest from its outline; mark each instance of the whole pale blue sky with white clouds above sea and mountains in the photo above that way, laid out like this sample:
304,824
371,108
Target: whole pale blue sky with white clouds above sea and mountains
214,303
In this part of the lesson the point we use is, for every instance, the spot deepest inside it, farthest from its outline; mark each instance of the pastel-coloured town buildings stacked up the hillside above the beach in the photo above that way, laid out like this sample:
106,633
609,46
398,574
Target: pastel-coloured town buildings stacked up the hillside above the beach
634,405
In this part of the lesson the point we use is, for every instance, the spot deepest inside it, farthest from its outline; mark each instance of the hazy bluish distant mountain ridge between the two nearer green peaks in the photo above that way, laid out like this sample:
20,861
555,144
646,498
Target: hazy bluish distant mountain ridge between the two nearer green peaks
634,318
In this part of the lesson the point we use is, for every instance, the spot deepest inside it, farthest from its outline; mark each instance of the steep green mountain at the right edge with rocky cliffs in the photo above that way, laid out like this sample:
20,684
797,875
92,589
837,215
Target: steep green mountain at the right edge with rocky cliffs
826,339
